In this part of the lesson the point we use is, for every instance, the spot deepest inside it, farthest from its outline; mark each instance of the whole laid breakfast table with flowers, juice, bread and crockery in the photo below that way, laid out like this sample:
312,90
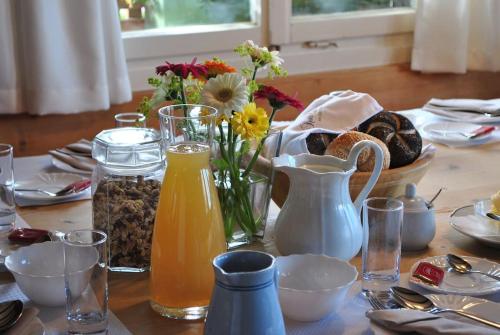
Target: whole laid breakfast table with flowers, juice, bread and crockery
350,219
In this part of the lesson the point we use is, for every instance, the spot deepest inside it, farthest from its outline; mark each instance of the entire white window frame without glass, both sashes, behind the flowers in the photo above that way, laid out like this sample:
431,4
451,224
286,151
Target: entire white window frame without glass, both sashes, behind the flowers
313,43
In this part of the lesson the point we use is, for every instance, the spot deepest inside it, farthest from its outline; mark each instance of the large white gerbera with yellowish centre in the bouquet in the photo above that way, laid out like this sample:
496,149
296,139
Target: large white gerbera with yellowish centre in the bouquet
226,93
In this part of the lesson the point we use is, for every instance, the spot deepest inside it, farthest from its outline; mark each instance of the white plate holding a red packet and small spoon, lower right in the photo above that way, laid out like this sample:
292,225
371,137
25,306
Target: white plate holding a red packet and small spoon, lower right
473,284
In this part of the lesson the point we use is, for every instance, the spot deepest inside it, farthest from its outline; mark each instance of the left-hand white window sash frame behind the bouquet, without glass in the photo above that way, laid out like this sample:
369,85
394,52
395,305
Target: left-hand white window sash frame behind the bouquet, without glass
145,49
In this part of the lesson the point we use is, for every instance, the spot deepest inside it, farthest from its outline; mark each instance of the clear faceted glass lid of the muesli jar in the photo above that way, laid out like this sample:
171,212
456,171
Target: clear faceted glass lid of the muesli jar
128,147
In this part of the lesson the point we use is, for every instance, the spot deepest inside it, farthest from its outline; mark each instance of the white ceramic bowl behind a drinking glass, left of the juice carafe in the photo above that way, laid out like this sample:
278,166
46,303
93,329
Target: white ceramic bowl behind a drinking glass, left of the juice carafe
39,271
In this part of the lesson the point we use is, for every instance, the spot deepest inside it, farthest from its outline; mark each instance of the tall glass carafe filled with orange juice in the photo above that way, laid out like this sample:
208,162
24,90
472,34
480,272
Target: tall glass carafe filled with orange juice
188,231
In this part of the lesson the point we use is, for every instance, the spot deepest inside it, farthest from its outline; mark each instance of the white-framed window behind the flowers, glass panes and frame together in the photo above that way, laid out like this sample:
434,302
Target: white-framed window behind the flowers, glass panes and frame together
329,34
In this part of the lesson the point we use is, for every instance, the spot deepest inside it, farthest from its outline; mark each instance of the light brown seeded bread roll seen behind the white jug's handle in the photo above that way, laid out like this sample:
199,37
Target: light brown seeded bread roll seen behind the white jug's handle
341,147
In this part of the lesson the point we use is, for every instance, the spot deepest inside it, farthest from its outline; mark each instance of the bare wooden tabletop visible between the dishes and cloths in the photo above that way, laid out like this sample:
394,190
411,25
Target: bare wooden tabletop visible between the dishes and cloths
467,174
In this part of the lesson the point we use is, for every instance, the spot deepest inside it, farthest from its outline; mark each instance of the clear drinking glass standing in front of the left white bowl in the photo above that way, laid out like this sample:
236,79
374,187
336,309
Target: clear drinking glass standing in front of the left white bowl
86,286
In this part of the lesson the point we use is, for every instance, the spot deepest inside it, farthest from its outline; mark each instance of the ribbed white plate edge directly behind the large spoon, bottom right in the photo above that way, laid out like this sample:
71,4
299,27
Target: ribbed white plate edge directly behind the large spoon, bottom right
477,306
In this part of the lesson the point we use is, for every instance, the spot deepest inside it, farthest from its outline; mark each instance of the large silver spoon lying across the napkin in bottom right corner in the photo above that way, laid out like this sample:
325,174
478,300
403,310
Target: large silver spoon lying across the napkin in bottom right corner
413,300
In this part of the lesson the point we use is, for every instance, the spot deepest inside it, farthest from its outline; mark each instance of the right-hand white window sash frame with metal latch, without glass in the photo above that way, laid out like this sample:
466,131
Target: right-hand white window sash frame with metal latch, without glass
327,42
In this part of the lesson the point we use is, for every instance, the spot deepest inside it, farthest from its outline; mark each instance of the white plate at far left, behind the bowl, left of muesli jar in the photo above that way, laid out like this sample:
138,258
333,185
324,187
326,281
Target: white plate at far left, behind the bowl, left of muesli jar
51,182
